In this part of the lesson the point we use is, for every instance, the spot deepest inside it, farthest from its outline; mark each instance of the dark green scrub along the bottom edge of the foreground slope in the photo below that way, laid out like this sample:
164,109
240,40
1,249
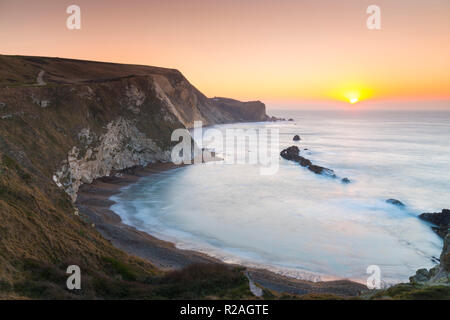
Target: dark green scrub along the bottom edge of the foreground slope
45,281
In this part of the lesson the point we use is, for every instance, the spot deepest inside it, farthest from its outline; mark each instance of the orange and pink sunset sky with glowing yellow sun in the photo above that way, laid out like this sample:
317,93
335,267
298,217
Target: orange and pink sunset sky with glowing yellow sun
284,52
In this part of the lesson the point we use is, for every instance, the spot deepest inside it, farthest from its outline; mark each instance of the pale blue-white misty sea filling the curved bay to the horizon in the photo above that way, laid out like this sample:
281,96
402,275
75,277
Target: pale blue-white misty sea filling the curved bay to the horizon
300,224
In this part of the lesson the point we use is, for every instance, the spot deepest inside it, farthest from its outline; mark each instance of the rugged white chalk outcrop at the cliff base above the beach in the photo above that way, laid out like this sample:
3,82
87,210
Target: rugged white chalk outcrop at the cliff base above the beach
121,147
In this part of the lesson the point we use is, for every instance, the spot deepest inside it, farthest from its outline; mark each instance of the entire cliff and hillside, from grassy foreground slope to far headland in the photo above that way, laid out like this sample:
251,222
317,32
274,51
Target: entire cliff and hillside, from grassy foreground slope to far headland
66,122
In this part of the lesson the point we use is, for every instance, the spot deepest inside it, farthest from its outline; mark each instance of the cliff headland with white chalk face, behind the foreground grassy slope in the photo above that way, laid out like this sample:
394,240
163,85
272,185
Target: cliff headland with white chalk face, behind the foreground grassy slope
98,117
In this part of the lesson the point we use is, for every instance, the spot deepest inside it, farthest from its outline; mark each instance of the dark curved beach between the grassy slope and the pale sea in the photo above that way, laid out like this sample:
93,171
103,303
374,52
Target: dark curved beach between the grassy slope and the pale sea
94,202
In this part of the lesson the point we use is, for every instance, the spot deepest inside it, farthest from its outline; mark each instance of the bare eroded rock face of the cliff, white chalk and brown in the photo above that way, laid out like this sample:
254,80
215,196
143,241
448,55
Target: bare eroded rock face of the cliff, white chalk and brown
169,97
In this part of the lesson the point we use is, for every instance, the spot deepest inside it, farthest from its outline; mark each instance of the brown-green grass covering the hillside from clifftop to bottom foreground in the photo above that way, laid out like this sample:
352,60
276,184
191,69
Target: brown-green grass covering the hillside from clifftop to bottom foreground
40,235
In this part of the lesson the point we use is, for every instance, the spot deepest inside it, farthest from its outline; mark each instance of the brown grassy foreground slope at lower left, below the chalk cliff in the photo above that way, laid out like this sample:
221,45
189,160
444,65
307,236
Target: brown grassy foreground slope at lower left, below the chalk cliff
37,269
